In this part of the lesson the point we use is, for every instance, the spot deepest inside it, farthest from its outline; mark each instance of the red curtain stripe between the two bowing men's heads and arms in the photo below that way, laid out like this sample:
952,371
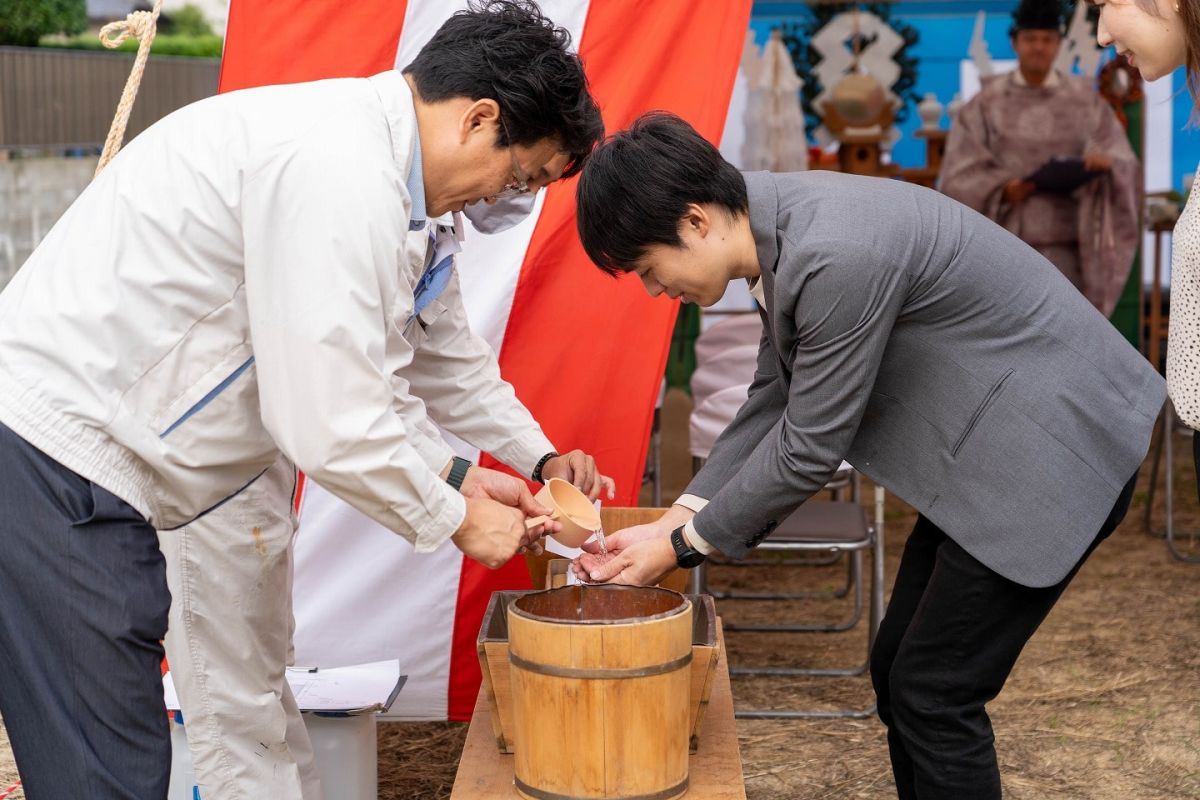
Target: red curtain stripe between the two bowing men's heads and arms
586,353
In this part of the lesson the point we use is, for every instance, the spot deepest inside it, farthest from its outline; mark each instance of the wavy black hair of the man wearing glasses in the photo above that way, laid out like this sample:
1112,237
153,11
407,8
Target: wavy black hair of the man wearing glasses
511,52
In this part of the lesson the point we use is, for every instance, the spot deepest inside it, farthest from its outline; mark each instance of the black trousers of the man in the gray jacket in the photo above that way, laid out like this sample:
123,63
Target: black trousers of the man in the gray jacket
951,636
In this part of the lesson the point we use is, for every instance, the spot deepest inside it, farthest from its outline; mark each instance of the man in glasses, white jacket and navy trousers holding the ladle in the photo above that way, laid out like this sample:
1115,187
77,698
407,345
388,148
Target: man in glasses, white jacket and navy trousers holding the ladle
247,281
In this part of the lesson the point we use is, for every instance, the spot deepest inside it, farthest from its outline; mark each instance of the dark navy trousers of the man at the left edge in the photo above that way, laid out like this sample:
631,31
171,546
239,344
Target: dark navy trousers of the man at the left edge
83,612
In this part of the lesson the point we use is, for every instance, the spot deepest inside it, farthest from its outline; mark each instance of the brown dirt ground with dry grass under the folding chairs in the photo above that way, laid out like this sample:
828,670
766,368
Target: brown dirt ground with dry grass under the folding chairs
1105,705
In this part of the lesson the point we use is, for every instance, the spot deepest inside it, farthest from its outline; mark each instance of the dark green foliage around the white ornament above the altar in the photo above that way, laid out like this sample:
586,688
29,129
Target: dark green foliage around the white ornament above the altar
797,38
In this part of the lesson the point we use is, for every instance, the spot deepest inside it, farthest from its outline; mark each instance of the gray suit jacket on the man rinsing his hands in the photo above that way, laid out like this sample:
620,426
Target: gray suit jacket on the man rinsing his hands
945,359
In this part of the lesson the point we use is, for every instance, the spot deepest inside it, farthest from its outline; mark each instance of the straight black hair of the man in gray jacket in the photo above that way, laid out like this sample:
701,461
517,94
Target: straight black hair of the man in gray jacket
637,188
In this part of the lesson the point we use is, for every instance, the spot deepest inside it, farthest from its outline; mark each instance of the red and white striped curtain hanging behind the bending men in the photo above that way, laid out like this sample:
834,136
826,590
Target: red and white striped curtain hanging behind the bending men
585,353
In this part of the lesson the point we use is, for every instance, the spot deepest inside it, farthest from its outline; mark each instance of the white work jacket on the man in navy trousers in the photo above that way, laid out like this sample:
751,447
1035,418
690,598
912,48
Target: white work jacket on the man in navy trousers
239,282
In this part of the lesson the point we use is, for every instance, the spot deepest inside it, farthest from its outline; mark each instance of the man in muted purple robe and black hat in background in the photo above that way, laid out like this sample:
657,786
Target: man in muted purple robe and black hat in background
1022,121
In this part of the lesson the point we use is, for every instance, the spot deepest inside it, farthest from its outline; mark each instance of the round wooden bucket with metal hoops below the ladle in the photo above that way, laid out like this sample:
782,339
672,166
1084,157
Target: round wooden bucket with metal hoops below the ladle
601,693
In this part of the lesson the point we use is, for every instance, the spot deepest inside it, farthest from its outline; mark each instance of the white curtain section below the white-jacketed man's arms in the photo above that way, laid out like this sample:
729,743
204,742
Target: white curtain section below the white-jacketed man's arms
362,596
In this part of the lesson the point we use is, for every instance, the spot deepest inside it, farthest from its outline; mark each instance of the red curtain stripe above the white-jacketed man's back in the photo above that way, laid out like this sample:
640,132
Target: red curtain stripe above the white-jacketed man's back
289,43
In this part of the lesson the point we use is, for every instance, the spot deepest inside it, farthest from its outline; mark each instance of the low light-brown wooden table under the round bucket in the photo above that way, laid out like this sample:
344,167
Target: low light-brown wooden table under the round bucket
715,771
